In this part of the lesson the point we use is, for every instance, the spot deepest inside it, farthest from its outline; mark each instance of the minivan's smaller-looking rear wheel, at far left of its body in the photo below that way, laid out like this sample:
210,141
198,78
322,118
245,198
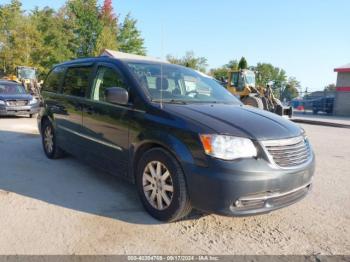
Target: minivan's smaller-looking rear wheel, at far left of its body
50,146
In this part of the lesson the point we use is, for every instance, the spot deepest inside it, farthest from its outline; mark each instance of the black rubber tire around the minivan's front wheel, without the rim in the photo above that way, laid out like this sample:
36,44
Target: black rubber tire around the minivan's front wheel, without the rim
180,205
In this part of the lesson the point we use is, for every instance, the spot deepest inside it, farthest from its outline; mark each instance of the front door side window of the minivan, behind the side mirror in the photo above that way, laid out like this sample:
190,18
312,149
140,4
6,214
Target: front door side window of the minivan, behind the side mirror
106,77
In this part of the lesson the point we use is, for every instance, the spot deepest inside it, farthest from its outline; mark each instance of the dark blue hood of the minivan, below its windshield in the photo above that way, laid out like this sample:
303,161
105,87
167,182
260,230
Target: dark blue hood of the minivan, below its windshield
237,120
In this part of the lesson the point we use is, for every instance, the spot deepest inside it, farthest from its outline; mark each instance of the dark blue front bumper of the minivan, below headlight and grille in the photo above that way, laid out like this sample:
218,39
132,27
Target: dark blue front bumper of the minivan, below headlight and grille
246,186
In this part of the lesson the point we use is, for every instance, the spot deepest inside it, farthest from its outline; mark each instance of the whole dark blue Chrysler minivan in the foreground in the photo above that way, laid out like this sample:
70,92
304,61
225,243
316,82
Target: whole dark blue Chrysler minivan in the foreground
181,137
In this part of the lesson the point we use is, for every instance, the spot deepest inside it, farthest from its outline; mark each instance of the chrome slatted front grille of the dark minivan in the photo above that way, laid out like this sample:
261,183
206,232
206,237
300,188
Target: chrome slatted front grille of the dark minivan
288,152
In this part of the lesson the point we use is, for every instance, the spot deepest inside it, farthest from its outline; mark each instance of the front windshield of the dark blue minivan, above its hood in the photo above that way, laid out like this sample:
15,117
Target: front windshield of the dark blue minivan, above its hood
171,83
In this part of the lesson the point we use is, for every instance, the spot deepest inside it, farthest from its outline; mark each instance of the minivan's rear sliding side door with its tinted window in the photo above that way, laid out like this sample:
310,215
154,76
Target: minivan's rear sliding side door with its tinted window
69,114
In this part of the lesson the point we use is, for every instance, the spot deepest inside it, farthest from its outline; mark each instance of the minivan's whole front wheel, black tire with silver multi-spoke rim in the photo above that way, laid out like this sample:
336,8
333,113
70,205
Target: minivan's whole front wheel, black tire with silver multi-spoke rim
162,187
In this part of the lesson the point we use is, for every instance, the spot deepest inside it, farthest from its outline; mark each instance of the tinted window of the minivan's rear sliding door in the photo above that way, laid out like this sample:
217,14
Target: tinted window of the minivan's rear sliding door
76,82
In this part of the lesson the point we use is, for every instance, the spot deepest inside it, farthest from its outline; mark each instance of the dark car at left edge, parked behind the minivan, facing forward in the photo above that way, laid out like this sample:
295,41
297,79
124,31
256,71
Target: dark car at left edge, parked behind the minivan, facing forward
14,100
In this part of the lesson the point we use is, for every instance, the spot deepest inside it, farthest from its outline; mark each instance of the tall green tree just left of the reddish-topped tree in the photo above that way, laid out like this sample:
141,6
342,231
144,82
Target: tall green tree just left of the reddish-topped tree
87,25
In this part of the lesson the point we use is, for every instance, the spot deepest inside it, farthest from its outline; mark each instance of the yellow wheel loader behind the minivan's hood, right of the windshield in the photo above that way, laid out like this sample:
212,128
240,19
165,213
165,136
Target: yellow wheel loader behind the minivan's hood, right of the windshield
242,84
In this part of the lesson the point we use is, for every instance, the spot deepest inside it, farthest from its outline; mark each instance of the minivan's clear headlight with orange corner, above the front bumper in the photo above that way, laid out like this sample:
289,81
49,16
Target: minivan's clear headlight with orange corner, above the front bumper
228,147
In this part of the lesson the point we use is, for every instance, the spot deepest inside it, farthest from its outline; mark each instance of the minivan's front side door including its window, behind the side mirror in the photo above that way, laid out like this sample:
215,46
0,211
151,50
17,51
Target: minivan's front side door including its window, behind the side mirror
106,125
